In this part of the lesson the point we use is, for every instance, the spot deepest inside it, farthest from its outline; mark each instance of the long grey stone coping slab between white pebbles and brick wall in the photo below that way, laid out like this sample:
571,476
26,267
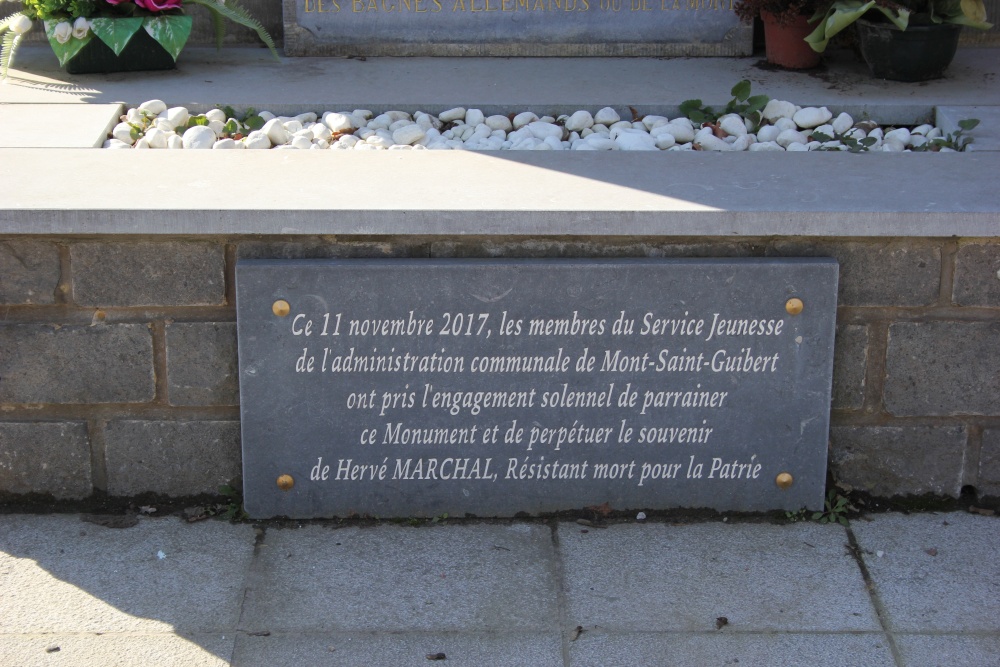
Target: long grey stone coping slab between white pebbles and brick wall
466,193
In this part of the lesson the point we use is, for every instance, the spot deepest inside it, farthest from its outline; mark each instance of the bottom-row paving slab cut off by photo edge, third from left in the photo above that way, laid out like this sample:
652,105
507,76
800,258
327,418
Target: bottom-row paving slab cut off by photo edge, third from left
596,649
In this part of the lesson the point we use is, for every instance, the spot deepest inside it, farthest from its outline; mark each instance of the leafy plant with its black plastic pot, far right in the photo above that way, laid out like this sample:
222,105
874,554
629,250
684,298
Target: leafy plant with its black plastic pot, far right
909,40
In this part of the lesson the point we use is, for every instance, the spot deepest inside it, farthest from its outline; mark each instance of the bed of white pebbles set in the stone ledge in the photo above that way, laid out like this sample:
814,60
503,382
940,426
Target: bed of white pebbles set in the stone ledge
786,127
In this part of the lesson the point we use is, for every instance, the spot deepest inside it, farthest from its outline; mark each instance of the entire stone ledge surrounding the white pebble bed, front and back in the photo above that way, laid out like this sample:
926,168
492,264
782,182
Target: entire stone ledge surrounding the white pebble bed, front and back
493,193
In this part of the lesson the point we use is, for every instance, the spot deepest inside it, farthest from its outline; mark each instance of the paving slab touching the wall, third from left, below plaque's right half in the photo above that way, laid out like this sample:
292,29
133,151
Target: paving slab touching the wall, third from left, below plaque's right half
662,578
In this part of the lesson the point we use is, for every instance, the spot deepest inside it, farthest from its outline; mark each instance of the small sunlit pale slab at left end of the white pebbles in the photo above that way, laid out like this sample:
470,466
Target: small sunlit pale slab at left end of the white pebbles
57,125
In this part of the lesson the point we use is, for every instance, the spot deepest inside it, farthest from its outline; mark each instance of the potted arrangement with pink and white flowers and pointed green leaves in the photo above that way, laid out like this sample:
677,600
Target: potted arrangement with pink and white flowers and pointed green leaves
117,35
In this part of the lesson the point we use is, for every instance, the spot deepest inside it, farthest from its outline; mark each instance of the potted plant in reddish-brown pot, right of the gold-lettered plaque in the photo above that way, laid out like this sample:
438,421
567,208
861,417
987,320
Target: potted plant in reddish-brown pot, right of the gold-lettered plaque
786,23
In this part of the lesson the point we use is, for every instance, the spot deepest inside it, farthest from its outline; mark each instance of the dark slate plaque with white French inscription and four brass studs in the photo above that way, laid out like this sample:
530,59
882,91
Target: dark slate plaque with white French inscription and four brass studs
419,387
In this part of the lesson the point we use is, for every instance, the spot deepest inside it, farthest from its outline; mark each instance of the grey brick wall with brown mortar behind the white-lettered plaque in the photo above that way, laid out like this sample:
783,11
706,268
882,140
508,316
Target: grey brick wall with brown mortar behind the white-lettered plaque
118,362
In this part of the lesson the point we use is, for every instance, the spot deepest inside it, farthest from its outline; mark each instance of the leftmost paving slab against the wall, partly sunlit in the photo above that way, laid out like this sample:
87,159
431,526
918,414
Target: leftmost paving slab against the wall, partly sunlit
60,574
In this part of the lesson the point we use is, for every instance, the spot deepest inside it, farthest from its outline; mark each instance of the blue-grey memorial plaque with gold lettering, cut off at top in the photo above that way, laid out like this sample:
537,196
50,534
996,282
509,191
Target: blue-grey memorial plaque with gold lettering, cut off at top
514,28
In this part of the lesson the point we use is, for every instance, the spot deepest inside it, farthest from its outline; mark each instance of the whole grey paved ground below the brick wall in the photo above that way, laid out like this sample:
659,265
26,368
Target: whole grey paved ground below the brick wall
891,589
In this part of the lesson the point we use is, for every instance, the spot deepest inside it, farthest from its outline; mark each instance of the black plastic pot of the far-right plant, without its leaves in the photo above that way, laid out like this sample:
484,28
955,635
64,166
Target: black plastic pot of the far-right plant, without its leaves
919,53
